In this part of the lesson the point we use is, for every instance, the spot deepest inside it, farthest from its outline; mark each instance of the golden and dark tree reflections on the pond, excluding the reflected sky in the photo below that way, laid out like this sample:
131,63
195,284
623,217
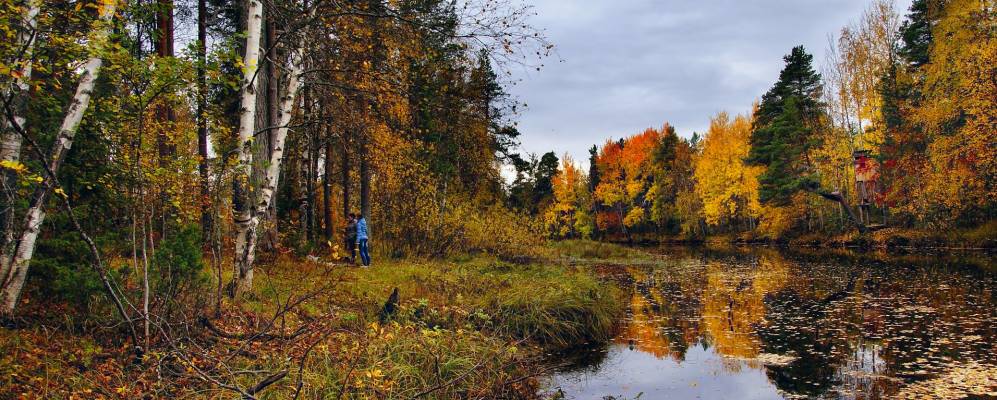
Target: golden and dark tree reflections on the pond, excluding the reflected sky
859,327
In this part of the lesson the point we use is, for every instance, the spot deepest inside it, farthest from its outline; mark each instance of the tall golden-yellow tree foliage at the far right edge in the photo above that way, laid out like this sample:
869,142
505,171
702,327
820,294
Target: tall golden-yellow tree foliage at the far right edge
959,111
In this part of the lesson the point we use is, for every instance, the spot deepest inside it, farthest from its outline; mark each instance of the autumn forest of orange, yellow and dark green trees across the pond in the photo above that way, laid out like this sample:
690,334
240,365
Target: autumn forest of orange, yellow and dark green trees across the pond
894,136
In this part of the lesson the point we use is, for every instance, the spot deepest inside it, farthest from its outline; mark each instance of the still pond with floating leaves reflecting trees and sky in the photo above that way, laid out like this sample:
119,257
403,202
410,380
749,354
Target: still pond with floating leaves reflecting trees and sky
763,323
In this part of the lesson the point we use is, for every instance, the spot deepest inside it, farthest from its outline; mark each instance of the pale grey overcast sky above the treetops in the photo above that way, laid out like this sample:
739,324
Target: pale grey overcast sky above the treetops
627,65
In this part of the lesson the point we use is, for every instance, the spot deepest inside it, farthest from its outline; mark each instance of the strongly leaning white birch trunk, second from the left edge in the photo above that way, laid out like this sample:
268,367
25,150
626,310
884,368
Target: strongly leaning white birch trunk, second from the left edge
13,281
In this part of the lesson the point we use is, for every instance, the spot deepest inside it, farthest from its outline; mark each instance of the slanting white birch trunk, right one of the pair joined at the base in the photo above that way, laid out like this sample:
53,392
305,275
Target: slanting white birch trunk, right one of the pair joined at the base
272,173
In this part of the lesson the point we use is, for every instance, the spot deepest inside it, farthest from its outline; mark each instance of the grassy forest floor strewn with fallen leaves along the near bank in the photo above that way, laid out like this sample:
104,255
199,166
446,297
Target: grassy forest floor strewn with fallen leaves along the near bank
468,327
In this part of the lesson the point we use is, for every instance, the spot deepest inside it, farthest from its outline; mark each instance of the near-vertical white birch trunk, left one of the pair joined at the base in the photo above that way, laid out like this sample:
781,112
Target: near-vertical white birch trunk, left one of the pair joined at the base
241,207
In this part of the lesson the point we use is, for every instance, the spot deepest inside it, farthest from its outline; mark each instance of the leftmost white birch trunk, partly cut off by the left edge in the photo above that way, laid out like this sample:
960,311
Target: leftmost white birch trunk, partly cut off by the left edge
10,142
